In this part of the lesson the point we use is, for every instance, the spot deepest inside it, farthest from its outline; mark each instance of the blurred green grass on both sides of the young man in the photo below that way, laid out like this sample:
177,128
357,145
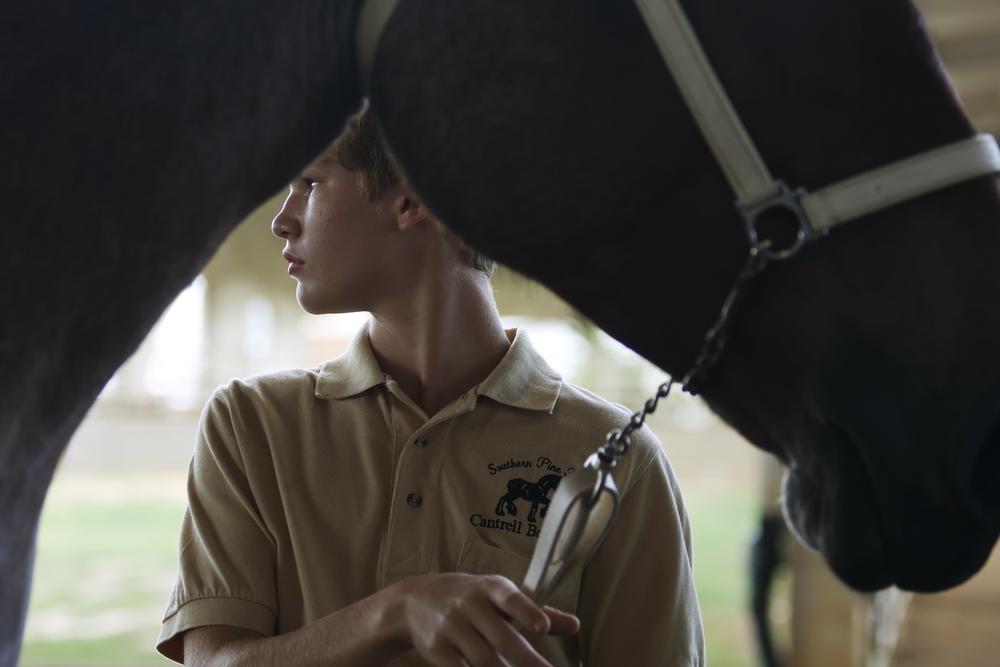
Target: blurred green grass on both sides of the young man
105,568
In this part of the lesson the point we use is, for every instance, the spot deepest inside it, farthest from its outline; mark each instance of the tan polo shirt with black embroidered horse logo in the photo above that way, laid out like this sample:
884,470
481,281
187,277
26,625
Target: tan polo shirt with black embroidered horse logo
312,489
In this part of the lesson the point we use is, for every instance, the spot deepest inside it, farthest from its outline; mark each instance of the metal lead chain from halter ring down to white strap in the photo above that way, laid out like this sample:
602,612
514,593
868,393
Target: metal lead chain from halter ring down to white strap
715,342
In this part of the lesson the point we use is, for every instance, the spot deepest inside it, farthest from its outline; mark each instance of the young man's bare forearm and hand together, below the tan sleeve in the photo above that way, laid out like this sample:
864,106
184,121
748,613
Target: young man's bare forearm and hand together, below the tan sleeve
452,620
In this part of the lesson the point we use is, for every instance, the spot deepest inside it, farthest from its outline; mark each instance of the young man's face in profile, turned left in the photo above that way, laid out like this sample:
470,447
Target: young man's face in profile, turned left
343,250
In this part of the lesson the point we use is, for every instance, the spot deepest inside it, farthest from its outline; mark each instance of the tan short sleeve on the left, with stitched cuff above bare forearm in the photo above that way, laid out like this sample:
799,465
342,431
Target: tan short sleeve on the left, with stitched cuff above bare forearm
227,555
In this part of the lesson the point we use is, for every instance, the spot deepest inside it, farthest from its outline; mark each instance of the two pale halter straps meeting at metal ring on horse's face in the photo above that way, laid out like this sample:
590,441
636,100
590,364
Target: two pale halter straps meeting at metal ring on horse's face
755,188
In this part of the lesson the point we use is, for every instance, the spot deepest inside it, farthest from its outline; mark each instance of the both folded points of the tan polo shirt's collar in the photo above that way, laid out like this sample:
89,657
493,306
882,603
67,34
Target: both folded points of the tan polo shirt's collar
522,379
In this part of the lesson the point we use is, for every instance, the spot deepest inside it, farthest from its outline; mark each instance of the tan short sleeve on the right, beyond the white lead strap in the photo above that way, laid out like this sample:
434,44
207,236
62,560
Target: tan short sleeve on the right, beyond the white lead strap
638,604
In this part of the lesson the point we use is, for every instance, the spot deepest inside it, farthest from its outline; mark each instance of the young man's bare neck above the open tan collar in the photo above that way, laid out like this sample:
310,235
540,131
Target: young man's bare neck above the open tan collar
441,341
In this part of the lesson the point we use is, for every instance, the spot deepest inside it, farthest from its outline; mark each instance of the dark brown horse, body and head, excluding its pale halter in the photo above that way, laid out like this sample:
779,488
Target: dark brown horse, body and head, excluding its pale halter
551,136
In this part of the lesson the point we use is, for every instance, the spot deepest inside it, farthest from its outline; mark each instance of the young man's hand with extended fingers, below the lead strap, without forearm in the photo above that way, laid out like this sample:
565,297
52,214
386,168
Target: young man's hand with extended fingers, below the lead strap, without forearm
455,620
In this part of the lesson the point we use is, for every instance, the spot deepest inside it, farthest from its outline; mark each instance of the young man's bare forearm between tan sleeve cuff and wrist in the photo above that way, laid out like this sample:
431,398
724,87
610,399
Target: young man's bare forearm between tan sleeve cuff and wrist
368,632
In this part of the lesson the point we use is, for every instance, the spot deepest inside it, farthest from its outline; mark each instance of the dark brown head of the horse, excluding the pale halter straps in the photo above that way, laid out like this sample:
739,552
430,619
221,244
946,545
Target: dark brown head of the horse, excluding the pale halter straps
869,363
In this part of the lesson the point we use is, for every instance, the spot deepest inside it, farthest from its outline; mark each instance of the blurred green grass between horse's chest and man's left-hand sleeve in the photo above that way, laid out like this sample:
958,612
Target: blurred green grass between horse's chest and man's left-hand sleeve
104,570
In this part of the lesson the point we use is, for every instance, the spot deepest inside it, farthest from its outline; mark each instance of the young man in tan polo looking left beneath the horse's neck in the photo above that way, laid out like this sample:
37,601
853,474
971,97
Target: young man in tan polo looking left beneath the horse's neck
382,508
